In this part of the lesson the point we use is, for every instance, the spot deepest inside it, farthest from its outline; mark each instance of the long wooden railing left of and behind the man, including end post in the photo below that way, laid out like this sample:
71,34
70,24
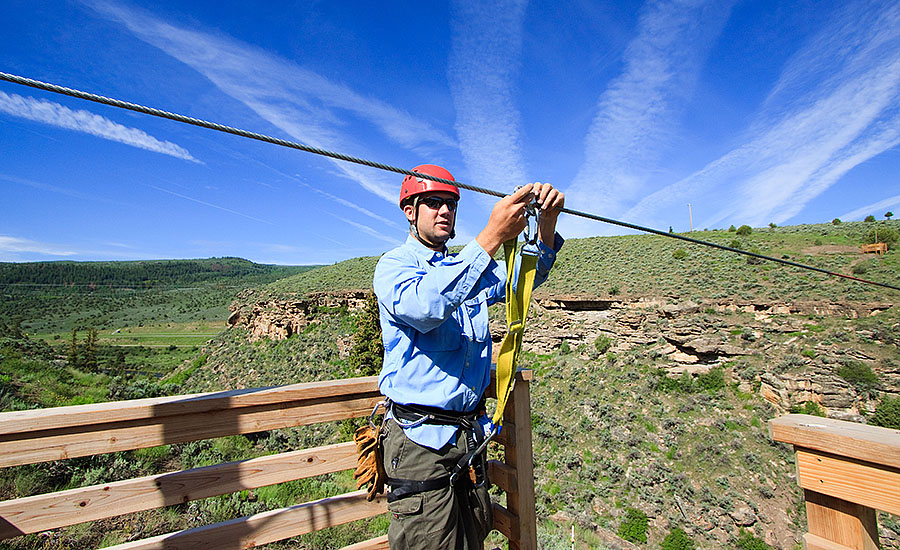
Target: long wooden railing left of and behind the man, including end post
28,437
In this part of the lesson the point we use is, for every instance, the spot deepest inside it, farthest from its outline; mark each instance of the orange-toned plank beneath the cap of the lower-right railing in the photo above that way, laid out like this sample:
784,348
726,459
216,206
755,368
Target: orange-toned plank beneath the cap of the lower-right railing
864,483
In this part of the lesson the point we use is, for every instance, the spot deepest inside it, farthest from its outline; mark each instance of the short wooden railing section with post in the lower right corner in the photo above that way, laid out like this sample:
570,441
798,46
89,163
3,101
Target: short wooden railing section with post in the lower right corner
847,472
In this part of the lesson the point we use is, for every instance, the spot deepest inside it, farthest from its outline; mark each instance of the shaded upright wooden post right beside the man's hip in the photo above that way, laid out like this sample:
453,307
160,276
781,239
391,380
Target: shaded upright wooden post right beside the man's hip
520,501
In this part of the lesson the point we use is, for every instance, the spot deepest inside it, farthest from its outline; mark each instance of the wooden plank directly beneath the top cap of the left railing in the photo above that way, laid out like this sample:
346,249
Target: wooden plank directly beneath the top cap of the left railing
135,434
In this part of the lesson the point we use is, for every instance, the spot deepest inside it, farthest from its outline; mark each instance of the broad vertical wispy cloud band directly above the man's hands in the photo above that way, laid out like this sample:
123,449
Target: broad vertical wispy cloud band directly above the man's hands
484,62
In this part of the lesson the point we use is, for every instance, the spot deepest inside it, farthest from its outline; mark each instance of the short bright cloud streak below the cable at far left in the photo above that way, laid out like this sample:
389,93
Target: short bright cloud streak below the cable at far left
54,114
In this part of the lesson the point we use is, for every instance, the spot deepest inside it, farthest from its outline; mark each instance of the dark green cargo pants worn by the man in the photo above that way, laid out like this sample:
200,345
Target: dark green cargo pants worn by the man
452,518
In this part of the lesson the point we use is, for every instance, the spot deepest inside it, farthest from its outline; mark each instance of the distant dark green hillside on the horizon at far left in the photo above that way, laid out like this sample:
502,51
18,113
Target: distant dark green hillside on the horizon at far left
55,297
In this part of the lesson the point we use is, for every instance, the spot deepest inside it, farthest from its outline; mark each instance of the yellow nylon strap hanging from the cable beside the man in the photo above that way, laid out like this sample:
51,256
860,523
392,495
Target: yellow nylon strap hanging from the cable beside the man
516,312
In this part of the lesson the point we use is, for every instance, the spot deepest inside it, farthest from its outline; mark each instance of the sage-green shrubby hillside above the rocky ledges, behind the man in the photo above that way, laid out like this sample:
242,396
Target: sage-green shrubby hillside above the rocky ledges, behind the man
651,265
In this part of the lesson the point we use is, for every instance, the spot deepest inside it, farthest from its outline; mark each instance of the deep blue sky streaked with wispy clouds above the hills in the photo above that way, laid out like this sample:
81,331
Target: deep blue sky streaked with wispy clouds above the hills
750,111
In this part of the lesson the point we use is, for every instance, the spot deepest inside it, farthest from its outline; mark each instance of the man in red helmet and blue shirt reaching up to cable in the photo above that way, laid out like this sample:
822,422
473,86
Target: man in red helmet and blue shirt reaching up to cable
437,357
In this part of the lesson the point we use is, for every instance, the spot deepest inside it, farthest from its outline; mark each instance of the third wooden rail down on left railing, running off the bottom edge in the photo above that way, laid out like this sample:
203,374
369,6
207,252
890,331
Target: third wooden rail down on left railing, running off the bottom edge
267,527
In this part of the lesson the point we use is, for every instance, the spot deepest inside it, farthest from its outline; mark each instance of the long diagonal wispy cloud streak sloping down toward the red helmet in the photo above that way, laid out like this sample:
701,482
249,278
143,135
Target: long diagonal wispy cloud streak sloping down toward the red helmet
302,103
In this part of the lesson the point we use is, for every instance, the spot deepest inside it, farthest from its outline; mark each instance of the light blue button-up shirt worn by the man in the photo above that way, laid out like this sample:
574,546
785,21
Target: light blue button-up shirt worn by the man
434,324
